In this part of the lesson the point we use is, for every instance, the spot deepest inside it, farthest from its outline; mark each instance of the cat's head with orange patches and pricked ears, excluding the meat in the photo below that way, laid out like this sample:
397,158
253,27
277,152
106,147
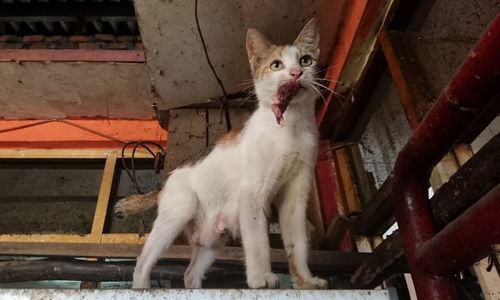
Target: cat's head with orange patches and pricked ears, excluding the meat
273,66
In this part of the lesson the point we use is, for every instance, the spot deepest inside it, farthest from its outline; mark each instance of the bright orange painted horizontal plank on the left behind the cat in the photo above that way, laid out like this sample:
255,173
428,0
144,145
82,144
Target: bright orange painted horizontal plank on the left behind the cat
78,134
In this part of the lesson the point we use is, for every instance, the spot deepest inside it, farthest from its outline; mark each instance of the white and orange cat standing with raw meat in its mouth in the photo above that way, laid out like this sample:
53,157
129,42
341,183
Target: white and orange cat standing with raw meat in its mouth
230,192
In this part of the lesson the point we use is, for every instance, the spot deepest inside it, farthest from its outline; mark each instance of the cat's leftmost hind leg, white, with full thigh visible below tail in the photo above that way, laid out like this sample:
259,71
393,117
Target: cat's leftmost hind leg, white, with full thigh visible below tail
177,207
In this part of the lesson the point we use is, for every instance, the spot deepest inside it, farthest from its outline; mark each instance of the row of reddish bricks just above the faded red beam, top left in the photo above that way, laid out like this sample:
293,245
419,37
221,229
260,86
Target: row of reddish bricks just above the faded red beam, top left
98,41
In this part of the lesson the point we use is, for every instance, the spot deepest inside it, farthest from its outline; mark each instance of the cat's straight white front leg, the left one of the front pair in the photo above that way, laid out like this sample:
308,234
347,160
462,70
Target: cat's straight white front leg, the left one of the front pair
254,233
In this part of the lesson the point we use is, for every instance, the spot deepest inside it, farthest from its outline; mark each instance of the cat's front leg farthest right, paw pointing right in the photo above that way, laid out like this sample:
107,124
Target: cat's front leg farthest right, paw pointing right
292,207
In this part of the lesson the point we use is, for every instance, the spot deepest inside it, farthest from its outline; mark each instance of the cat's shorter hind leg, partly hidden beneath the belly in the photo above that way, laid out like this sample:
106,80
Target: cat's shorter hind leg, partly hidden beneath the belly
201,259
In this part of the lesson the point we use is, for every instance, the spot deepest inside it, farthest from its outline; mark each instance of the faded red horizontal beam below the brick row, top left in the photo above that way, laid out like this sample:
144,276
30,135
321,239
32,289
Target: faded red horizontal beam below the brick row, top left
10,55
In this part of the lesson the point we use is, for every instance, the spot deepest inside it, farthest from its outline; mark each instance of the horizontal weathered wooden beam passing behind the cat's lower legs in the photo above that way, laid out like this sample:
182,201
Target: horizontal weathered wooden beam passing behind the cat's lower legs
333,261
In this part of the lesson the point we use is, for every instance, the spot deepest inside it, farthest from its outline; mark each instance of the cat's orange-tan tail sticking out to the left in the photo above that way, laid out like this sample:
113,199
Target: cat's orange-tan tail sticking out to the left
135,204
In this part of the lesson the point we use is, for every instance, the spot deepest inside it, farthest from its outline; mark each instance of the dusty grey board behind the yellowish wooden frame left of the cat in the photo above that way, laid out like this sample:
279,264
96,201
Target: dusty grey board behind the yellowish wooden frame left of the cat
37,197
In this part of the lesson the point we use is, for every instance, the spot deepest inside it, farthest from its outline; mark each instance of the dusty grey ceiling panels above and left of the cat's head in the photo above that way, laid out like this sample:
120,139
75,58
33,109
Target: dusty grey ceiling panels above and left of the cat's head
176,72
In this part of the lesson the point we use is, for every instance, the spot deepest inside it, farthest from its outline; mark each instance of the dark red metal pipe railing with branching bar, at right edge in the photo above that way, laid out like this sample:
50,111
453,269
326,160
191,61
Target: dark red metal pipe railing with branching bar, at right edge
432,256
